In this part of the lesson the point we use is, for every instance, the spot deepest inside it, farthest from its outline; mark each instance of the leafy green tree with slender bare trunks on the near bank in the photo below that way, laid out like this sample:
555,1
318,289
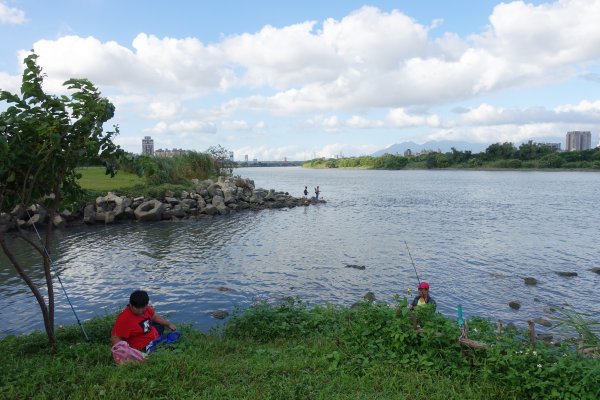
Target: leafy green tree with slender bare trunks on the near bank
43,139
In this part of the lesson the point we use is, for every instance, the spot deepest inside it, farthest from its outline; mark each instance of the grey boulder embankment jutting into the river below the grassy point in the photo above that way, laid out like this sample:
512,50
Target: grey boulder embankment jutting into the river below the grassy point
227,195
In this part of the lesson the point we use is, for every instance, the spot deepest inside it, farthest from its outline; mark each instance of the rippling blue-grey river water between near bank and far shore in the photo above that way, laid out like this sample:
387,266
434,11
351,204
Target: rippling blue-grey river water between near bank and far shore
473,235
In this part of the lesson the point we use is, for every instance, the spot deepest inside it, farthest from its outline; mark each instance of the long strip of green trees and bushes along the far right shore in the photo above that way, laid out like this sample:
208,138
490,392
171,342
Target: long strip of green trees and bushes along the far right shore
498,155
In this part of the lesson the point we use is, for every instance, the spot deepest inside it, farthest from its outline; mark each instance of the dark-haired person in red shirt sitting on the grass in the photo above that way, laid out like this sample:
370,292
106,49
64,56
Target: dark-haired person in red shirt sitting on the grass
138,324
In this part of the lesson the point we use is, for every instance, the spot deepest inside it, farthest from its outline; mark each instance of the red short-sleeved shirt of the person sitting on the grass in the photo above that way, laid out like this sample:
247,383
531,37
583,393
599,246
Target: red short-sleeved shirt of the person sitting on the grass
137,330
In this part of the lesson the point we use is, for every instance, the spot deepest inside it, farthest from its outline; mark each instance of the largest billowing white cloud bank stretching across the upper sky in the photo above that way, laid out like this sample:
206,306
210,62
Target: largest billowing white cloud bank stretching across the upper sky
369,59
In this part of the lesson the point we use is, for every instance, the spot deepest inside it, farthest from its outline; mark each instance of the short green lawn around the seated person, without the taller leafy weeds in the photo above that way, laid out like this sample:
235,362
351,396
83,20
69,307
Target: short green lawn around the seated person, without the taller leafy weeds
204,366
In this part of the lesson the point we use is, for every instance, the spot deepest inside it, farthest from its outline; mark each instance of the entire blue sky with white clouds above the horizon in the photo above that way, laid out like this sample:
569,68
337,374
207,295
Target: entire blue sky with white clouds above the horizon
276,80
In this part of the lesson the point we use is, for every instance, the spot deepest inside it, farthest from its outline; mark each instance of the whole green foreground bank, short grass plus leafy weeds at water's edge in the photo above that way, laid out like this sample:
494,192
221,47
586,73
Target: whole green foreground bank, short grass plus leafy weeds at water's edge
290,351
